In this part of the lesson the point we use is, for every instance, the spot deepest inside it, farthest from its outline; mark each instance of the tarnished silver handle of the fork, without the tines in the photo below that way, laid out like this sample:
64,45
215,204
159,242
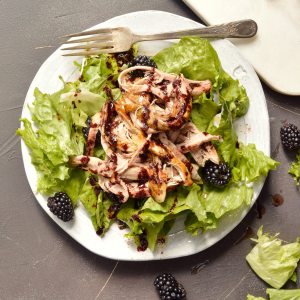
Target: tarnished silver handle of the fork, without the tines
237,29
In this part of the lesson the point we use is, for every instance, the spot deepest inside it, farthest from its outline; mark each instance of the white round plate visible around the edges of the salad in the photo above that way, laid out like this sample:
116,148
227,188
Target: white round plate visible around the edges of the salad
253,128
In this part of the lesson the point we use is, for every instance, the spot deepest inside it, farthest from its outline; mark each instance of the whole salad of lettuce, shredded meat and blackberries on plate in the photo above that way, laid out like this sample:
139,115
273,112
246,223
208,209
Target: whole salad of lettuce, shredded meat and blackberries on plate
142,144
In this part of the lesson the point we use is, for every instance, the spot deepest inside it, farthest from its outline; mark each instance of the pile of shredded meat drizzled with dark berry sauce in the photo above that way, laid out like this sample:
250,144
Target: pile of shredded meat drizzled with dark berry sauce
146,135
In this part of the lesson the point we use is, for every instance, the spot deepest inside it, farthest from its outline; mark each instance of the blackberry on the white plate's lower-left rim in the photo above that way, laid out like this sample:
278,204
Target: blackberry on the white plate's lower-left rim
61,206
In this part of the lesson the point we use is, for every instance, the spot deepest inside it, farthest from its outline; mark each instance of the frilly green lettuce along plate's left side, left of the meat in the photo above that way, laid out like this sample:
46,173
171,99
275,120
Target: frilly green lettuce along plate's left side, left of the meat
59,119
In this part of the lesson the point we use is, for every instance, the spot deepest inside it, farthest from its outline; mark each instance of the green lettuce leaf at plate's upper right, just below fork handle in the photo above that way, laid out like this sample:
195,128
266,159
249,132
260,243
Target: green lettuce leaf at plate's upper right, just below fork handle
196,59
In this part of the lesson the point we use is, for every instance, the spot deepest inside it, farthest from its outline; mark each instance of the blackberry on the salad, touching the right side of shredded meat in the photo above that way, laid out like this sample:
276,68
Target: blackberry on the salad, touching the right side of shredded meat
217,175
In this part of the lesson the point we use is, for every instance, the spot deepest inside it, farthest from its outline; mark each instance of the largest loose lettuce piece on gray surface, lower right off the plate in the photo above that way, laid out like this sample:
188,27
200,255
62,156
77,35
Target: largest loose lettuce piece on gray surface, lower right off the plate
272,261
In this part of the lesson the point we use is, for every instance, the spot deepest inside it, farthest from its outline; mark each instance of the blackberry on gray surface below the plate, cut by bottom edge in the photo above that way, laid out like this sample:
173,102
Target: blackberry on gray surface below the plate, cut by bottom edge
168,287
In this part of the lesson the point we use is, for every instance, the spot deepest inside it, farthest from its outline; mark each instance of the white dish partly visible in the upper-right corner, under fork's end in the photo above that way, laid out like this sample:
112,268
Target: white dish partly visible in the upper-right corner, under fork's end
275,50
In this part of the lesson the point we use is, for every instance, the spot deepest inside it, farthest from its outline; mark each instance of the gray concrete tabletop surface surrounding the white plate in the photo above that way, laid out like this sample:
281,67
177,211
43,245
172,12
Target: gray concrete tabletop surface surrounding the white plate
40,261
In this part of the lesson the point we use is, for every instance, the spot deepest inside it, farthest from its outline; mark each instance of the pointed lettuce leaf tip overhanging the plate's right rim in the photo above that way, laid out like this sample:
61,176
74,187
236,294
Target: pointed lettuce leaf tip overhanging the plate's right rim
250,164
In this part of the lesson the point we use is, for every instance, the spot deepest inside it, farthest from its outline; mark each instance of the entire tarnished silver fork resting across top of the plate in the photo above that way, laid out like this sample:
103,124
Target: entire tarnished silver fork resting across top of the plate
120,39
